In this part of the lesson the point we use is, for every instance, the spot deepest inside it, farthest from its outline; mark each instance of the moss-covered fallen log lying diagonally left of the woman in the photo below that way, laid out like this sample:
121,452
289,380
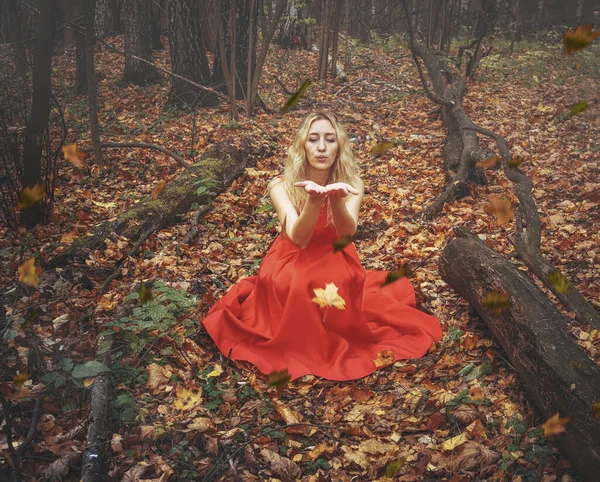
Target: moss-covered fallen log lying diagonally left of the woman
220,164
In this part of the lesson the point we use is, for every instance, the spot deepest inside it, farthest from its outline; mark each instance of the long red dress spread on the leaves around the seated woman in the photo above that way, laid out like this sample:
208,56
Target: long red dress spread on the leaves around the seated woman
271,321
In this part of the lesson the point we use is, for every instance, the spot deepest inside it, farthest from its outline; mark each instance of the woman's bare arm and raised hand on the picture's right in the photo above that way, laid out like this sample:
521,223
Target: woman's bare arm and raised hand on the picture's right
344,207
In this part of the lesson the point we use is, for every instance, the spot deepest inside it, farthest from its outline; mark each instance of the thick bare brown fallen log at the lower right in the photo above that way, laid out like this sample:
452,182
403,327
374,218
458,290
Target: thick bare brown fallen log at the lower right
557,374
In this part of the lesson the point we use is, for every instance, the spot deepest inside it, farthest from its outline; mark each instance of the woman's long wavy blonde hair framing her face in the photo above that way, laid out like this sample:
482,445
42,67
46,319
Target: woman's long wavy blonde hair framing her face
344,168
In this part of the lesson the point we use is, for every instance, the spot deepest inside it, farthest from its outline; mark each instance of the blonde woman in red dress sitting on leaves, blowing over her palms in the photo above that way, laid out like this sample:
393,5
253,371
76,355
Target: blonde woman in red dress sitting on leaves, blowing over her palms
312,308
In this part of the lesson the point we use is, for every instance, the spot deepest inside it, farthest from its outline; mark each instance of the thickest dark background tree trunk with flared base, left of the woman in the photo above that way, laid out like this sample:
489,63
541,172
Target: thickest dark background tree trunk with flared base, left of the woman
188,55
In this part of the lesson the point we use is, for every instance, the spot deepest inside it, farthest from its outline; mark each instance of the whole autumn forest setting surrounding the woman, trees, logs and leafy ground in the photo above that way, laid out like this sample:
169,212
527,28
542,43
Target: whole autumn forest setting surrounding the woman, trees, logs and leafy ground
137,140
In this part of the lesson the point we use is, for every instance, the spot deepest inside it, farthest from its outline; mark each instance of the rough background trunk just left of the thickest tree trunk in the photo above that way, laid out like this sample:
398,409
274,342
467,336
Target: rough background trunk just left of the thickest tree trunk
138,42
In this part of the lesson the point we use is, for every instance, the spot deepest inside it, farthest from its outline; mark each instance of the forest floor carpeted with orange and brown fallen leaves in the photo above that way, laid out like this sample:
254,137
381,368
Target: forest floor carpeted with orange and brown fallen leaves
180,410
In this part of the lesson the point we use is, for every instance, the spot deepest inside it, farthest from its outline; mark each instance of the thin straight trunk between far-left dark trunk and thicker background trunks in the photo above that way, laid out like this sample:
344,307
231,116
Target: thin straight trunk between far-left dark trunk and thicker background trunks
89,8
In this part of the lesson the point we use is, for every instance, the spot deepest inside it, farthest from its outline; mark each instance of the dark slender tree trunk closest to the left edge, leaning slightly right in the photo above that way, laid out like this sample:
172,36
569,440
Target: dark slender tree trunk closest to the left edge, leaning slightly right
40,108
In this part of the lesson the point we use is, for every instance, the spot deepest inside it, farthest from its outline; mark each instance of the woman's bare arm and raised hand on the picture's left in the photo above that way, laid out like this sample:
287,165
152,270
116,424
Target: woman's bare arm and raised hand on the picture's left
298,228
